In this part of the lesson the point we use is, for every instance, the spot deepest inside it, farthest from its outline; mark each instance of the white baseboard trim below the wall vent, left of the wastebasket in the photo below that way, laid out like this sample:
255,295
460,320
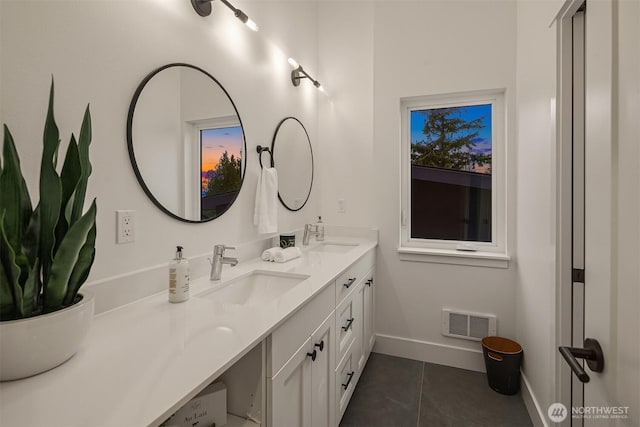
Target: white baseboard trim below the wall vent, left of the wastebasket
424,351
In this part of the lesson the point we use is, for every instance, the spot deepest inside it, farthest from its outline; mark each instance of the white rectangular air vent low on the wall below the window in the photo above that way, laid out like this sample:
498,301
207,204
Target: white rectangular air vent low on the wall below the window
466,325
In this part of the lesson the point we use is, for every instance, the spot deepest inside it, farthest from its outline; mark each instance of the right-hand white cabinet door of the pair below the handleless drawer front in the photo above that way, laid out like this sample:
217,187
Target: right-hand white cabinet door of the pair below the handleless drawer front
322,375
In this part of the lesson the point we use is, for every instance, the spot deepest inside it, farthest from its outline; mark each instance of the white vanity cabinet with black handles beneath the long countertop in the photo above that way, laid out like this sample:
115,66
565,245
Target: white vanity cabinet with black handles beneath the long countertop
302,391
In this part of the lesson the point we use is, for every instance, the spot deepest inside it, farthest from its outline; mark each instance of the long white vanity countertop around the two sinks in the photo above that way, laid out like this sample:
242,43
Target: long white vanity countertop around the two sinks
144,360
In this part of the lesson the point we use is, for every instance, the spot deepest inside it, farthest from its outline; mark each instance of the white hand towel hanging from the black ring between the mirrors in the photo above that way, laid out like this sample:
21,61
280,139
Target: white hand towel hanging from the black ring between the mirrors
265,214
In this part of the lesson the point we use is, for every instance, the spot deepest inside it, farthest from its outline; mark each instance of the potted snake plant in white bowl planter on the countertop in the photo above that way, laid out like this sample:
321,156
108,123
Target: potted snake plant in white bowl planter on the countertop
46,253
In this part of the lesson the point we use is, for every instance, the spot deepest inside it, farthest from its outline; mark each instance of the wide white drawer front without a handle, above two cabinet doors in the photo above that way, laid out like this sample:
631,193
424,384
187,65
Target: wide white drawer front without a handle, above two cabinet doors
289,336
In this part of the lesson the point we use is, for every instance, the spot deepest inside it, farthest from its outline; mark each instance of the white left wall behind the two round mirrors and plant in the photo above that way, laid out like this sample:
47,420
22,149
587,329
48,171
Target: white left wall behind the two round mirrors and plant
99,51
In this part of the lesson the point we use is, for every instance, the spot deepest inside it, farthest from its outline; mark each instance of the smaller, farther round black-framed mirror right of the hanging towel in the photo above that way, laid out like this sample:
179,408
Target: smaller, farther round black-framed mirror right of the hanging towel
293,158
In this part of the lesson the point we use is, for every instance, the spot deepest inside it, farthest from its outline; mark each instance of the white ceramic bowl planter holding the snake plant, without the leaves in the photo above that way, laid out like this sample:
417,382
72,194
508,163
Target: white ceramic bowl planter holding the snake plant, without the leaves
36,344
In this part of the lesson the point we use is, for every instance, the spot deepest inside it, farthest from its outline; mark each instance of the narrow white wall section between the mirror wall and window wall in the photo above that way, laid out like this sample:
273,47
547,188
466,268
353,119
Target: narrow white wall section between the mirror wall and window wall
345,113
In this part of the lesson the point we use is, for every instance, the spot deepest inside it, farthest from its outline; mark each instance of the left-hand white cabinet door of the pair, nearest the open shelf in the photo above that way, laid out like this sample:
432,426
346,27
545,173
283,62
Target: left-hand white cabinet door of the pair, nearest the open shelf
290,391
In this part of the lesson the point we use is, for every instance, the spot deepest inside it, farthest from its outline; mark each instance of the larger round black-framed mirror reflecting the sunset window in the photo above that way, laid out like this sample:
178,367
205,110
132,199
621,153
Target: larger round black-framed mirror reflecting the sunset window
186,143
